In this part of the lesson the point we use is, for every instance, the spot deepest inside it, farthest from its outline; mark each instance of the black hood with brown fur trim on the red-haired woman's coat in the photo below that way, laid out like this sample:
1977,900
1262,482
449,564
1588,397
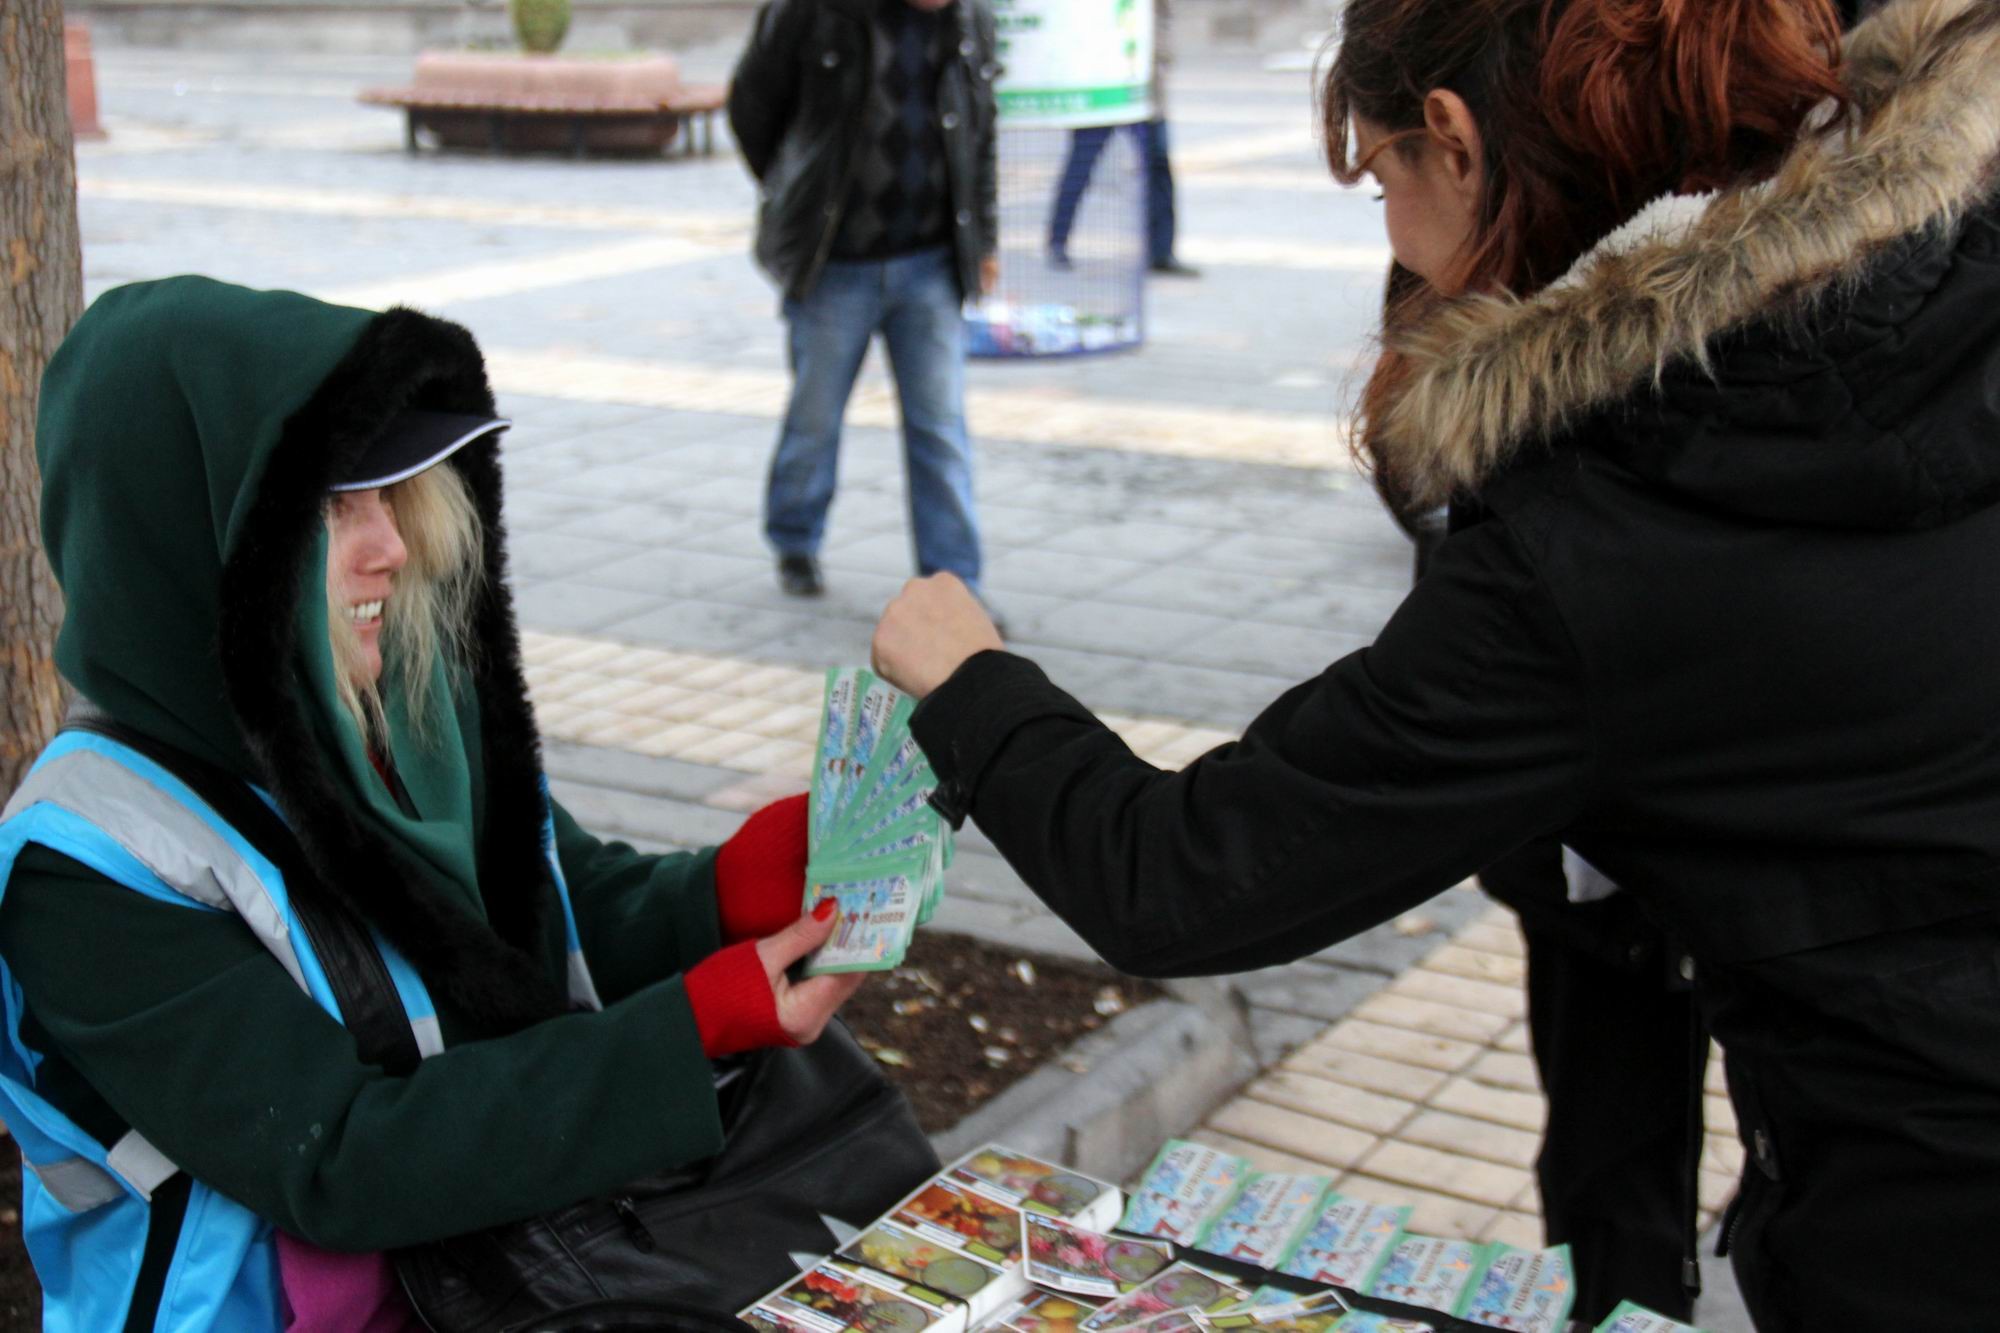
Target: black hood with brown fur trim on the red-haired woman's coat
1793,289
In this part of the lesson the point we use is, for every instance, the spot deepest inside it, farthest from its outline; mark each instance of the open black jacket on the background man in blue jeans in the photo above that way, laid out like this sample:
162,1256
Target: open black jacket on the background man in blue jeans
797,109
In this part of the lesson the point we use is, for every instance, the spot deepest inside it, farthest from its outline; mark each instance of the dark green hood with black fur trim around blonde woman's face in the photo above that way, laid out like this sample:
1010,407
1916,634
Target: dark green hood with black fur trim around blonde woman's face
187,441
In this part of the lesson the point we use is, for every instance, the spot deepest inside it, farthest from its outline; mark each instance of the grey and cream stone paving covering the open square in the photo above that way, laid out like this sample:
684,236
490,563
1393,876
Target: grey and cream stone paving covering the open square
1175,535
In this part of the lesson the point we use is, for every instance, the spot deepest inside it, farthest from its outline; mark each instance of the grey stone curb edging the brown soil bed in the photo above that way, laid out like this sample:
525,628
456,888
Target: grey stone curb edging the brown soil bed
1109,1102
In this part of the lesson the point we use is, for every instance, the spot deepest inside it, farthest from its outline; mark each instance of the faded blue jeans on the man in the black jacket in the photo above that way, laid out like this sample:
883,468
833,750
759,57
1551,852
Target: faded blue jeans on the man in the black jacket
915,303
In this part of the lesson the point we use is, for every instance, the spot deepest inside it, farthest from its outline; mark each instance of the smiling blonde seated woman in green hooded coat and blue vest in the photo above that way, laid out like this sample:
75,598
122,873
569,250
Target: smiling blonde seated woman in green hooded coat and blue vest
277,525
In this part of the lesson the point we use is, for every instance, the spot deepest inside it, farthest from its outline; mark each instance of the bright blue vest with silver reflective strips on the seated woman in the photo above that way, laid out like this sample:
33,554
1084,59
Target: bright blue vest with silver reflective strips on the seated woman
87,1204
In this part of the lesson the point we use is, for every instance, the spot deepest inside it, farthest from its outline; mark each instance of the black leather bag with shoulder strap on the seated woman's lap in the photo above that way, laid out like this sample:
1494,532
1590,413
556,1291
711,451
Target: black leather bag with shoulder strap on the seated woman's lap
815,1142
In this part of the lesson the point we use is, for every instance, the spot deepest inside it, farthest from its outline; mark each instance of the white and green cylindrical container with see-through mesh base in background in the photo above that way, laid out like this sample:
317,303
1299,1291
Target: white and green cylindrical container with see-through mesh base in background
1073,227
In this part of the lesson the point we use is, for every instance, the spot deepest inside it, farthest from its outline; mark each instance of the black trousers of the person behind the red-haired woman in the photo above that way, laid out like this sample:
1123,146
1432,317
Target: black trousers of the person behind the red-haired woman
1611,1038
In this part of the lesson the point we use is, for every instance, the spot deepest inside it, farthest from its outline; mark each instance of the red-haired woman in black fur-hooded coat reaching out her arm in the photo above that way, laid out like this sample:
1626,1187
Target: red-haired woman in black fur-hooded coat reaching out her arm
1701,335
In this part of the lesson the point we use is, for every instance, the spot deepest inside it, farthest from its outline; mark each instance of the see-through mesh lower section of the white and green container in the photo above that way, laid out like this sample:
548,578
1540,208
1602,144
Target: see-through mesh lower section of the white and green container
1097,301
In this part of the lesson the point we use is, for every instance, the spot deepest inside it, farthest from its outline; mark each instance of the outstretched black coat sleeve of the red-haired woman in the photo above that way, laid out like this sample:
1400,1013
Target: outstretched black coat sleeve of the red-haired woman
1459,736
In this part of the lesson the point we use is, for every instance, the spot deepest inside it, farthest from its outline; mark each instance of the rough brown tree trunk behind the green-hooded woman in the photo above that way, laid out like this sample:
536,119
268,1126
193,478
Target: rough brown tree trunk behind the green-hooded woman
41,297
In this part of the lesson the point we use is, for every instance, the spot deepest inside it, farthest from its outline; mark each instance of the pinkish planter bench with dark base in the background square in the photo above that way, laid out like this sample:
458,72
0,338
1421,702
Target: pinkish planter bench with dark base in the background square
515,103
